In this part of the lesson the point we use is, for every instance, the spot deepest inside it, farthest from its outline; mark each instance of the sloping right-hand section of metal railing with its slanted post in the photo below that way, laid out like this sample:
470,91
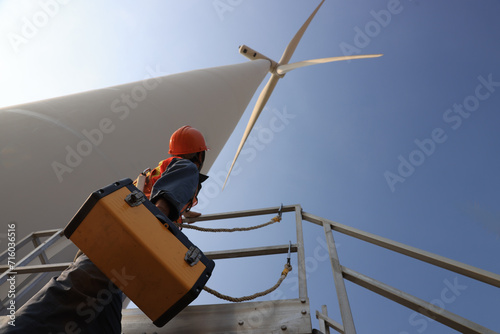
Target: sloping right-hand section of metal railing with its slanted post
427,309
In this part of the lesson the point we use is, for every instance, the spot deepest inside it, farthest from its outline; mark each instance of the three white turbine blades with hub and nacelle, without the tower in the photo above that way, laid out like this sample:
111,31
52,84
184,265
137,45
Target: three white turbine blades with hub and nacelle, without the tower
278,71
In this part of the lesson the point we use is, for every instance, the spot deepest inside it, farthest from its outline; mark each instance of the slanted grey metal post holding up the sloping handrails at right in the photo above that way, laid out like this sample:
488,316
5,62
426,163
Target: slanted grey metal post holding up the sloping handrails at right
345,308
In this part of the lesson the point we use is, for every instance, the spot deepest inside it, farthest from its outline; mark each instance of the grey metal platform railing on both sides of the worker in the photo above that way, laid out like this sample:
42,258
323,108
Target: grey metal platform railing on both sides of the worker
340,273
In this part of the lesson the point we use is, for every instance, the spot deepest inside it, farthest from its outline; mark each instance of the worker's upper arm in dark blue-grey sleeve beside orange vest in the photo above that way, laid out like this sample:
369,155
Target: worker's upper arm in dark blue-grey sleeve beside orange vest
176,187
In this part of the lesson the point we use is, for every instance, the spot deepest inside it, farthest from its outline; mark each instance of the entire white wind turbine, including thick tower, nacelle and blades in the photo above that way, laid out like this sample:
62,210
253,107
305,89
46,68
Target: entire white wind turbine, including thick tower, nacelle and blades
71,145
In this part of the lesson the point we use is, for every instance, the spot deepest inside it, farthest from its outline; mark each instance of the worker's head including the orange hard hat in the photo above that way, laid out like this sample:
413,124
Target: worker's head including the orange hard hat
189,143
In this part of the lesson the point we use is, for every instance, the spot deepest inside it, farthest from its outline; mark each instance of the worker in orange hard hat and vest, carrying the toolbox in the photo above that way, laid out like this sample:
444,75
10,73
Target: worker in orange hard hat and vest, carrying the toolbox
82,299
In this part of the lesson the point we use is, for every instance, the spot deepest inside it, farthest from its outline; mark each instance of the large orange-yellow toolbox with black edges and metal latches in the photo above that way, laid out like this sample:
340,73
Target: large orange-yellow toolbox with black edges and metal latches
123,233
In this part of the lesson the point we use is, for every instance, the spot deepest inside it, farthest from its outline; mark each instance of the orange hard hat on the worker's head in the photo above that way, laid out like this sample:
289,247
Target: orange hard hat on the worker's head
187,140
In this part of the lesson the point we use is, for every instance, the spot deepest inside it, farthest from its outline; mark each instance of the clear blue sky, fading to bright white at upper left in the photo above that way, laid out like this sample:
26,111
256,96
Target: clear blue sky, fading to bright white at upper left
404,146
